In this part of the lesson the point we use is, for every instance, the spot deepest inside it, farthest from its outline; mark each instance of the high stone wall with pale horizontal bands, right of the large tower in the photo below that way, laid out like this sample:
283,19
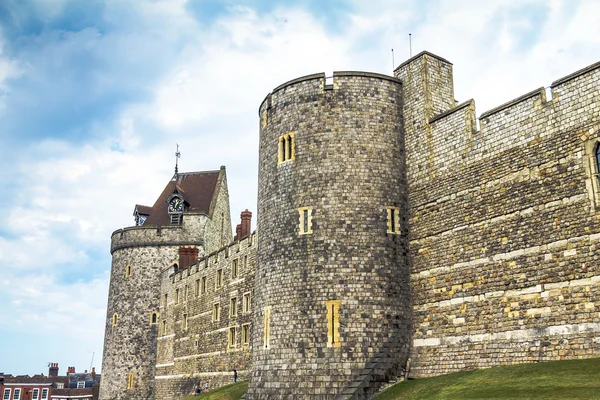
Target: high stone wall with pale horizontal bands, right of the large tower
503,232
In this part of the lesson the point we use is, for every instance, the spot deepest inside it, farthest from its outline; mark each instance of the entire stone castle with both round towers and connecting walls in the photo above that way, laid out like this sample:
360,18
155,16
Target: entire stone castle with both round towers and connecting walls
395,237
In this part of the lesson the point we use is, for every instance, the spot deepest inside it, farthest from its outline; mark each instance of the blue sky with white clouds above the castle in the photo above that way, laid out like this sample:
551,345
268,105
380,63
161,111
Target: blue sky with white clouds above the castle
94,94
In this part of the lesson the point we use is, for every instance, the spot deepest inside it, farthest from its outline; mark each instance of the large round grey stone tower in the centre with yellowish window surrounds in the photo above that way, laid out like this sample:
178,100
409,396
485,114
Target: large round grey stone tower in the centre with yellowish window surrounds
332,292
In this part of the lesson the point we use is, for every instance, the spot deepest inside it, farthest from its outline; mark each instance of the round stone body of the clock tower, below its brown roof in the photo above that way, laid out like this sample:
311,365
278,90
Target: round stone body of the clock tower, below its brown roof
130,345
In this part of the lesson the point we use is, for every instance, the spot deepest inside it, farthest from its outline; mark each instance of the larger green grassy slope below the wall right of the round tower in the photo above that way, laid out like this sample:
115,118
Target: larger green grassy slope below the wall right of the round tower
576,379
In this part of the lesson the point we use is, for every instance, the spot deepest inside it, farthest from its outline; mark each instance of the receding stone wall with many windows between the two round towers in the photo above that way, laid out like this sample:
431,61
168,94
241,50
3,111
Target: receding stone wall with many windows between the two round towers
201,352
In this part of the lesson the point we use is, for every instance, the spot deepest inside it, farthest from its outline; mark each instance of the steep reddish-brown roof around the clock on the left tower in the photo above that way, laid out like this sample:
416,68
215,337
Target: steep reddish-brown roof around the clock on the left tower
196,188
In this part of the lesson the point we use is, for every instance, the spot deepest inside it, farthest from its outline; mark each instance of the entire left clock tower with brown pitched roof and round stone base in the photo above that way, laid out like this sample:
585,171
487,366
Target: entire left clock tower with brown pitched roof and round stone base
192,213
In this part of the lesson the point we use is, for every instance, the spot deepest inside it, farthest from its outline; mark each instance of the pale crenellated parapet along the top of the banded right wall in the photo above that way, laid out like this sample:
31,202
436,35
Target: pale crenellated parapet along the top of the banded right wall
454,139
